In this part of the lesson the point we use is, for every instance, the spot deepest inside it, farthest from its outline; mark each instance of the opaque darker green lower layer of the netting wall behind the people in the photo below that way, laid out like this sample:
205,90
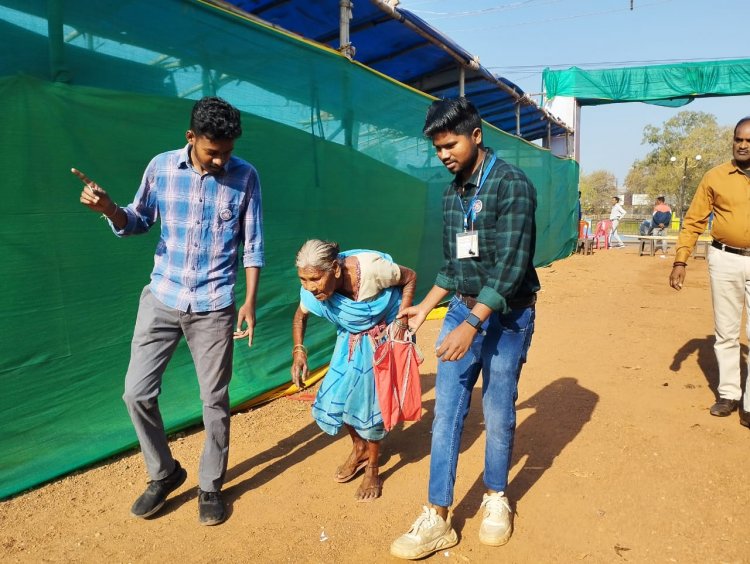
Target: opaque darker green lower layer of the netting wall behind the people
71,287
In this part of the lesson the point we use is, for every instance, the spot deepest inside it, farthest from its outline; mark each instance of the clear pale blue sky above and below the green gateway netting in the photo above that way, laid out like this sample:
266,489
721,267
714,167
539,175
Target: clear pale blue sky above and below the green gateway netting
517,39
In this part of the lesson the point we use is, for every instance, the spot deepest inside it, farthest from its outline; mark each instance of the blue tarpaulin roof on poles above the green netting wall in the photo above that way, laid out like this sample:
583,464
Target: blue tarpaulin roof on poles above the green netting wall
402,46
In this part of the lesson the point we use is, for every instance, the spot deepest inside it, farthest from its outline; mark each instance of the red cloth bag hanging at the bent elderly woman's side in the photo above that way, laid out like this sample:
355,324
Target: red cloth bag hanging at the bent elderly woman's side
396,368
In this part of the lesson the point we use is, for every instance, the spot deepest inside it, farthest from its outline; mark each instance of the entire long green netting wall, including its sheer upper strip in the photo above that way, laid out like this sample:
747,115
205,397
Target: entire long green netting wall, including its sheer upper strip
103,87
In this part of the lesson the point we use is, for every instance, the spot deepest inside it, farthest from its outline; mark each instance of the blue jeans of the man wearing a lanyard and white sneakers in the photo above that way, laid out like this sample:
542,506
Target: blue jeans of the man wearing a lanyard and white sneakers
499,354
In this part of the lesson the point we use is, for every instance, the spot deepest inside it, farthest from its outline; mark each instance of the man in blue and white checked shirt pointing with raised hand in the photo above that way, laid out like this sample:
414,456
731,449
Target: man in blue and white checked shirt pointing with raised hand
208,203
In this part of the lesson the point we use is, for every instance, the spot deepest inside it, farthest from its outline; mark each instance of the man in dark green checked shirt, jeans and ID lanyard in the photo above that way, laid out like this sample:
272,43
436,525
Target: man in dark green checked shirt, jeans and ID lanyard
489,236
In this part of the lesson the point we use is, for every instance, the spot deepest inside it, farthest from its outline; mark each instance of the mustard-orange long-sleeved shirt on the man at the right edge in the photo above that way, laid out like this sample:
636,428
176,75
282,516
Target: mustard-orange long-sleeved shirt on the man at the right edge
724,190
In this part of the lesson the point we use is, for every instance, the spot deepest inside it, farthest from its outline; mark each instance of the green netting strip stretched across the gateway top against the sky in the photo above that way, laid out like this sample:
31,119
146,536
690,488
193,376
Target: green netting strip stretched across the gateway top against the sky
663,85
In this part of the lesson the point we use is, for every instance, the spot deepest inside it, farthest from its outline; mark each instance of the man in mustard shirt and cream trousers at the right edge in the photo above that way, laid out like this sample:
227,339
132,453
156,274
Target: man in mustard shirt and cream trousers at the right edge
725,191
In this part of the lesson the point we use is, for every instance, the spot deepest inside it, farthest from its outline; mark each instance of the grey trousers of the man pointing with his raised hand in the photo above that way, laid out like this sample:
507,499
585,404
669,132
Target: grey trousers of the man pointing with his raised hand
158,330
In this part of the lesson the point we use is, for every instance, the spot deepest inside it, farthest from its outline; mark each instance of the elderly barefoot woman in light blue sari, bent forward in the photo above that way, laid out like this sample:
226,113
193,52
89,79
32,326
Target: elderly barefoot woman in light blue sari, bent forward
360,292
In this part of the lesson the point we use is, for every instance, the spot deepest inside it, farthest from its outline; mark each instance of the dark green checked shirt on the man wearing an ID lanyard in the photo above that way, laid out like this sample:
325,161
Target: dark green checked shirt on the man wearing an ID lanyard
507,237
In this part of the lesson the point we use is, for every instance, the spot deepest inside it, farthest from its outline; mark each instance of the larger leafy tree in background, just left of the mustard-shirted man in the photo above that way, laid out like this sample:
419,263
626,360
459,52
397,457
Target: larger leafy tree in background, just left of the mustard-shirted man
664,171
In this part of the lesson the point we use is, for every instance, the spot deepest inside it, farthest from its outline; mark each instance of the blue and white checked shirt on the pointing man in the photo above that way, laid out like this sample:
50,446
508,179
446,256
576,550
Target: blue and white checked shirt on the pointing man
204,219
